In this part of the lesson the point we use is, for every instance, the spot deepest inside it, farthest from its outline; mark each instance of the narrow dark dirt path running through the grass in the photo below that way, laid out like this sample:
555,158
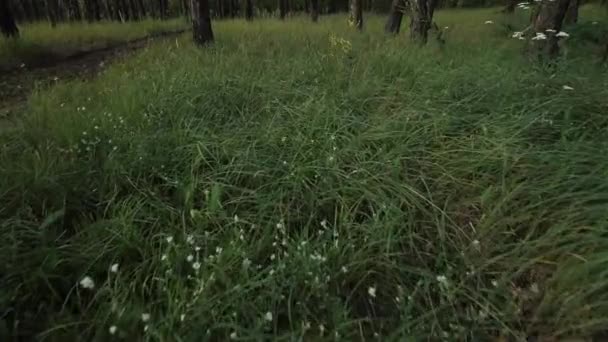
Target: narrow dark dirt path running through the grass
18,83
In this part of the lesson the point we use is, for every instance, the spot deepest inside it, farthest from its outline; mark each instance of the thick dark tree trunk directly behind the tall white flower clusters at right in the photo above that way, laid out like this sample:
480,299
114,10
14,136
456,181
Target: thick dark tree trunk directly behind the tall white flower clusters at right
550,16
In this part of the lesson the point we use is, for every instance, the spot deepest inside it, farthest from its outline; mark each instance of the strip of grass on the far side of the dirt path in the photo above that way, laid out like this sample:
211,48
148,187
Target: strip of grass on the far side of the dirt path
40,40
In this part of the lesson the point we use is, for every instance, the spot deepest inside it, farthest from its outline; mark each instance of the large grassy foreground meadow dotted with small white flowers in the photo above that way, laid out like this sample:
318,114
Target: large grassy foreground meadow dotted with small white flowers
309,182
